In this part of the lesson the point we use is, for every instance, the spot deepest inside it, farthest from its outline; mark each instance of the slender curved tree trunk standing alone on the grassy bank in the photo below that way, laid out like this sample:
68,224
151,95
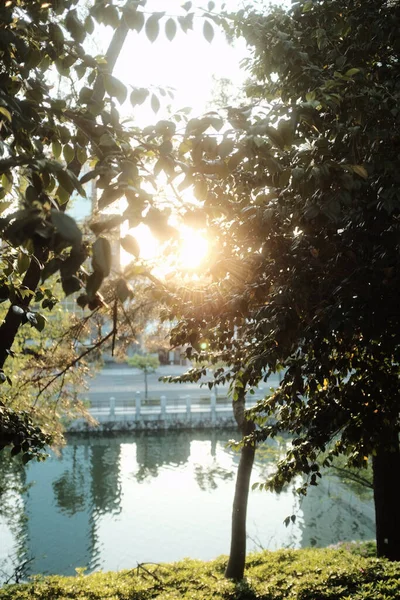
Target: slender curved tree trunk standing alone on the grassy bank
237,555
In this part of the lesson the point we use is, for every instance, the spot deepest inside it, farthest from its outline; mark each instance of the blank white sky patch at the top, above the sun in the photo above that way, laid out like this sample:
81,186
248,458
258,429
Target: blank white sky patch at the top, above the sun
187,64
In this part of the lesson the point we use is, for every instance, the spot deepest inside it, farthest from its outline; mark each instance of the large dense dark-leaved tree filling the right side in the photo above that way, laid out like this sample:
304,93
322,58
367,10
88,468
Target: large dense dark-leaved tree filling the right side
304,211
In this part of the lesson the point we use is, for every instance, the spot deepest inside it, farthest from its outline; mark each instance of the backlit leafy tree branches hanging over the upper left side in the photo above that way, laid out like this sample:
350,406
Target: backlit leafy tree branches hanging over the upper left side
52,145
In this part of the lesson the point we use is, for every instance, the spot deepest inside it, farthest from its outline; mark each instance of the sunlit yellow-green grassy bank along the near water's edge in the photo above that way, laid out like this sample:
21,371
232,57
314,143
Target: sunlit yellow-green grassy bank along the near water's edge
323,574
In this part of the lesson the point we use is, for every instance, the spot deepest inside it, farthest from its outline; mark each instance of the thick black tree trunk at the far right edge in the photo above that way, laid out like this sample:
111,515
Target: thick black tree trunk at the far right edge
386,473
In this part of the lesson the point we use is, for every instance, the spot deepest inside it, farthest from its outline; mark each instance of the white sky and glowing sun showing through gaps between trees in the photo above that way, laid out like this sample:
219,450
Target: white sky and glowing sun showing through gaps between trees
189,64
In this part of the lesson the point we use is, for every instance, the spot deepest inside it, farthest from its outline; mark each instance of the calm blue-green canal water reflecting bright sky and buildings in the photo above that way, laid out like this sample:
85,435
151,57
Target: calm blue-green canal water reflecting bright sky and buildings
112,502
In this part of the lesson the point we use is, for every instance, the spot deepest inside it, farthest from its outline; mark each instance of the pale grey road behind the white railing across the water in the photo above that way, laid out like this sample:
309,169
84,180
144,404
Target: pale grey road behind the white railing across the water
123,382
